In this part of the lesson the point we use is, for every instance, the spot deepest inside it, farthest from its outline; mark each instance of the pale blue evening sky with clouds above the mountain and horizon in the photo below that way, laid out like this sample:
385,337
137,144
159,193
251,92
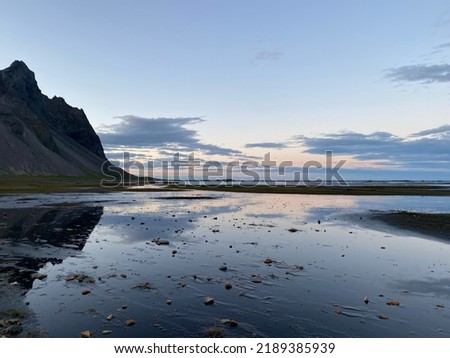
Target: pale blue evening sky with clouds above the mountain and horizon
235,80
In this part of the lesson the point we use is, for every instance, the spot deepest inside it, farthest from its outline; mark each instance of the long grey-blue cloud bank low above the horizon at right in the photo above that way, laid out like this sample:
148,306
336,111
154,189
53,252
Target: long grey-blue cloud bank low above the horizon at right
425,149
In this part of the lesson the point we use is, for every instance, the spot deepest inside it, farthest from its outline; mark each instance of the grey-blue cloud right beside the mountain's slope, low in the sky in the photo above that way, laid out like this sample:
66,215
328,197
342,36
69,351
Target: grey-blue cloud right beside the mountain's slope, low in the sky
159,133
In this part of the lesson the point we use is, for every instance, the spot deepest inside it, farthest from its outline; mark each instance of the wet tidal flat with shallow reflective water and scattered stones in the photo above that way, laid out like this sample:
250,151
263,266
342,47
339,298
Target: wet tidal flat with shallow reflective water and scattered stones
223,264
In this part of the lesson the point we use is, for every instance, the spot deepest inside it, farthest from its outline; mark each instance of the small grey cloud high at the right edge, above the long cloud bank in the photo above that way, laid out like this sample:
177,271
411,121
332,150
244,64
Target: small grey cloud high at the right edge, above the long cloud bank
420,73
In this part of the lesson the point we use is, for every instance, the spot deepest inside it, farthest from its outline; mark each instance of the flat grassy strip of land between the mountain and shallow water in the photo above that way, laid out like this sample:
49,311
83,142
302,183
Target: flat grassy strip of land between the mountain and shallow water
42,184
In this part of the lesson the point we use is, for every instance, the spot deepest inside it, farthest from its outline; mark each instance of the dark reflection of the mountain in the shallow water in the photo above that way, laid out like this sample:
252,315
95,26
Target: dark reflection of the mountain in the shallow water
32,237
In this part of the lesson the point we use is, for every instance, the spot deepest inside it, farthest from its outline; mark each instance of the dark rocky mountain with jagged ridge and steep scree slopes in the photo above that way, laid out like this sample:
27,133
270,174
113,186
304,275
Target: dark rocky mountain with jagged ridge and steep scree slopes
43,136
